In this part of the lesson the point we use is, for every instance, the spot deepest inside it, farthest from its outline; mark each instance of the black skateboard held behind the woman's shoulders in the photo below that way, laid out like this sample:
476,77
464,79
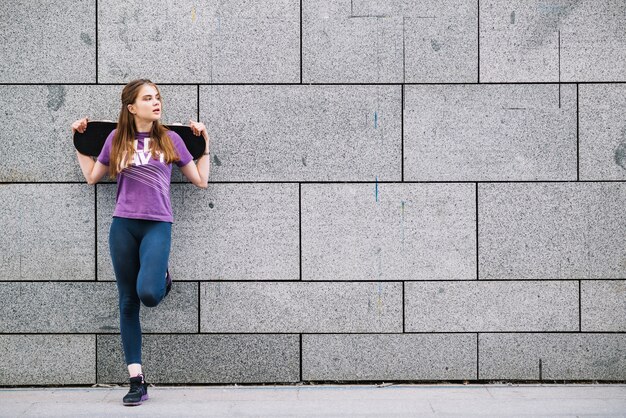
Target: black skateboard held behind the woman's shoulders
92,140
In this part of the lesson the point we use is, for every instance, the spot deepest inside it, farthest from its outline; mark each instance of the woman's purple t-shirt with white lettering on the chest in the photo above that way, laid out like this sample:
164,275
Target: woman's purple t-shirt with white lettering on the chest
143,188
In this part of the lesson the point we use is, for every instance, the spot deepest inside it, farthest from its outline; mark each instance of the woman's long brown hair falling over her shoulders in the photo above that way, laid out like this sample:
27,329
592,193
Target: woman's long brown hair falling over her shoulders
122,149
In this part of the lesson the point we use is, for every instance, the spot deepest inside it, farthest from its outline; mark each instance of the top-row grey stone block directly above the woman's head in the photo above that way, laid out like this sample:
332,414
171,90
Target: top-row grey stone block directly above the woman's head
211,42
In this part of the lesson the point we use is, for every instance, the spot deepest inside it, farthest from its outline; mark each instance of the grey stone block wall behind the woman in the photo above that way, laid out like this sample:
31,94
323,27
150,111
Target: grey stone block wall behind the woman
400,190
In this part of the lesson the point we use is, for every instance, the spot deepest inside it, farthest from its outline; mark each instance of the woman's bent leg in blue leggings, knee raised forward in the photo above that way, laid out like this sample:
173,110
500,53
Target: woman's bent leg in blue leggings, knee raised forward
154,253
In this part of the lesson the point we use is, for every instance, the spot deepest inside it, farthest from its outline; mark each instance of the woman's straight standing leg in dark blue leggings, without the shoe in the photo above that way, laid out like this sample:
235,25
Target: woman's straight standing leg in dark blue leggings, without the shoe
124,249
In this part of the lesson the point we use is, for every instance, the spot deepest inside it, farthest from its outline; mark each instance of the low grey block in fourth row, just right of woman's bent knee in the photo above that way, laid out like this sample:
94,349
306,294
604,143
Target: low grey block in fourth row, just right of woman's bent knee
301,307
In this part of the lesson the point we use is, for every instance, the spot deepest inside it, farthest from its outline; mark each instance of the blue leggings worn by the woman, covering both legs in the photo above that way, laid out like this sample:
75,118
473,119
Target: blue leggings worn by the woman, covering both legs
139,250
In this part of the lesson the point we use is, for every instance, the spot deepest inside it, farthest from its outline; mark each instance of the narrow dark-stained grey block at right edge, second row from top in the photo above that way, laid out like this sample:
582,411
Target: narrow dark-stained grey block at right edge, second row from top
602,131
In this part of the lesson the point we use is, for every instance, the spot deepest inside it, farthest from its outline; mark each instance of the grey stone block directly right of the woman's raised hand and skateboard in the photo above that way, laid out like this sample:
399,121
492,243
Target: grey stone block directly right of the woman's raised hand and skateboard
304,133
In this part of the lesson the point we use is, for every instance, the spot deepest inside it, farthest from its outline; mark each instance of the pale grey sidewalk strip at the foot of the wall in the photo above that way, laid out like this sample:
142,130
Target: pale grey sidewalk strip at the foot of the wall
401,400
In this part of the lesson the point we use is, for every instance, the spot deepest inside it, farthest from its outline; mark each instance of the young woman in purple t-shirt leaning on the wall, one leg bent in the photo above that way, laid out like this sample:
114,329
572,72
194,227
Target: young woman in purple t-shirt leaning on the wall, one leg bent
139,154
